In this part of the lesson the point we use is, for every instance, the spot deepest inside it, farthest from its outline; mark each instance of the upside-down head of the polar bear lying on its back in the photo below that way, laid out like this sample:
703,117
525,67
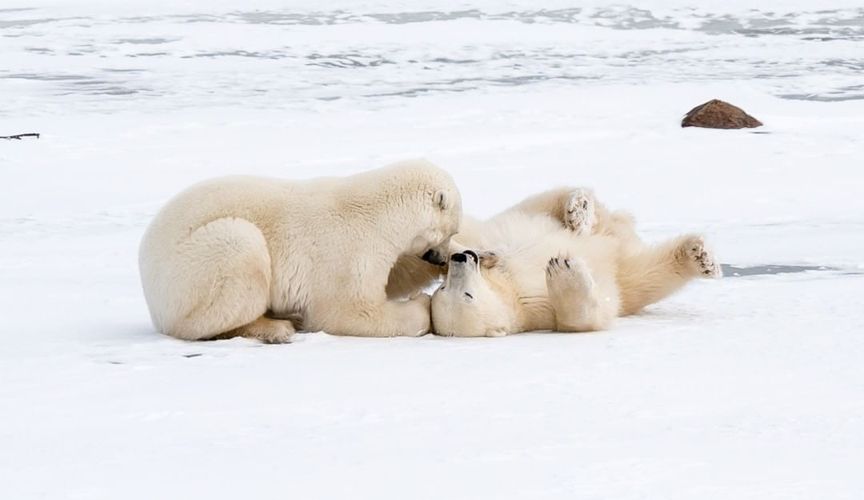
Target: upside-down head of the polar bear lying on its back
474,300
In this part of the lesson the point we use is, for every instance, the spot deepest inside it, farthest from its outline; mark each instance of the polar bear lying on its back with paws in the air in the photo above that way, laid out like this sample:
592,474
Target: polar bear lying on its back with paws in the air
561,261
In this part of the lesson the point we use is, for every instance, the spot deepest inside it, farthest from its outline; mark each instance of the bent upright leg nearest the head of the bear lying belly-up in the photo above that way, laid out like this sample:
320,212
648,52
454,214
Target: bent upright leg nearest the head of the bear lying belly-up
581,303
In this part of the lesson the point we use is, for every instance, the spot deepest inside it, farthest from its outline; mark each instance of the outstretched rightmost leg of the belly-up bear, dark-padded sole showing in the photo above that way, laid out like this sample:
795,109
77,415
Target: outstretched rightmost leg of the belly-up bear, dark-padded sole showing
654,273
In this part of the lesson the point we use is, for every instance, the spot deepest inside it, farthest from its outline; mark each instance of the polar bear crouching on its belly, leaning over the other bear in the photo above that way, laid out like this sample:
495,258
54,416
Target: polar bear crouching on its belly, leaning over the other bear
262,258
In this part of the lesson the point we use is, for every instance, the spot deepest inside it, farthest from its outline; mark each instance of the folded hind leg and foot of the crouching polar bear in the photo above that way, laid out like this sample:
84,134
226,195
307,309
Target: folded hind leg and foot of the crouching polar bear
219,285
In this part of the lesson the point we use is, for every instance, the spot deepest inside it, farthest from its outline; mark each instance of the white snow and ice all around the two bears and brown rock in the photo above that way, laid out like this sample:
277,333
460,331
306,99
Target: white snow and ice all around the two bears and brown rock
749,387
